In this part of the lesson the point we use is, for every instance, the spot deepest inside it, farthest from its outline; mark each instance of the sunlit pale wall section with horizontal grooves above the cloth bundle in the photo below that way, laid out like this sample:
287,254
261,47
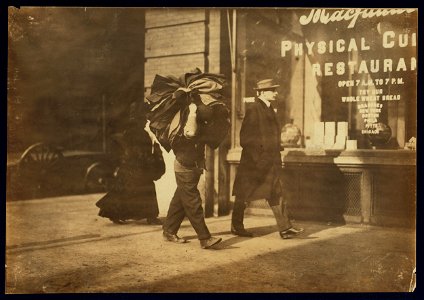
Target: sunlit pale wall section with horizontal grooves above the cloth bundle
179,40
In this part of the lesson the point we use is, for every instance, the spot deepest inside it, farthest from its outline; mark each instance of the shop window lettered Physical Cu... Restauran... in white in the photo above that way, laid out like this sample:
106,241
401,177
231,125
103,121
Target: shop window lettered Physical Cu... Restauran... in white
345,74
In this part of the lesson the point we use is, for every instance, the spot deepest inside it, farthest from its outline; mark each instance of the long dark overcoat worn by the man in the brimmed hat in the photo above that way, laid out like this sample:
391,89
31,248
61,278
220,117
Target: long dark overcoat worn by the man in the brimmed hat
260,161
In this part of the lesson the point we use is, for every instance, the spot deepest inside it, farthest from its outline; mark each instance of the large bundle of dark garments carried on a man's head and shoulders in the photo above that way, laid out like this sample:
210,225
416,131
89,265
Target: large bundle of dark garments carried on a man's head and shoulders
191,106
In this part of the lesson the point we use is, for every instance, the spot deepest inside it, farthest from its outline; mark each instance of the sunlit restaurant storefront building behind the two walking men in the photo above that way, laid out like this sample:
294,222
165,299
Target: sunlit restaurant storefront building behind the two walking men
347,101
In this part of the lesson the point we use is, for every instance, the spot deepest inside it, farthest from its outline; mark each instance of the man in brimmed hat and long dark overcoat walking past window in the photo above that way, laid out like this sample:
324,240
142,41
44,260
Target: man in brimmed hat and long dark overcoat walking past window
259,173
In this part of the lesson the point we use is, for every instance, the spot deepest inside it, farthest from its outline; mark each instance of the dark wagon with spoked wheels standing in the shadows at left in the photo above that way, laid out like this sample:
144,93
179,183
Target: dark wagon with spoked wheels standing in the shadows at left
45,170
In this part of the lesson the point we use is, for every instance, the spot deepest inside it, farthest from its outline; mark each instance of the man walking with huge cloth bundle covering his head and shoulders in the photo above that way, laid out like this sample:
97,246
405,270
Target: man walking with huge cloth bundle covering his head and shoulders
185,111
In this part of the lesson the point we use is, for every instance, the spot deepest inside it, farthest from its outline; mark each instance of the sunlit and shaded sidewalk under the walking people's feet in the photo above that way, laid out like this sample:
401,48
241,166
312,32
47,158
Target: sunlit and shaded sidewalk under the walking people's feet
61,245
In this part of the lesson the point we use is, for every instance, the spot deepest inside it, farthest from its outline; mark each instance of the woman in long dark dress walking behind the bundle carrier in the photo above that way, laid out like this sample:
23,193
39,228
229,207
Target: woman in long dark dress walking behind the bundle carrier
133,195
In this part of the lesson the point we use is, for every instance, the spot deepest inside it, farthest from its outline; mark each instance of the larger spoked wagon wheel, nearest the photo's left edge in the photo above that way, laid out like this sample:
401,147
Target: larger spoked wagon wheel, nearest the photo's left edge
36,165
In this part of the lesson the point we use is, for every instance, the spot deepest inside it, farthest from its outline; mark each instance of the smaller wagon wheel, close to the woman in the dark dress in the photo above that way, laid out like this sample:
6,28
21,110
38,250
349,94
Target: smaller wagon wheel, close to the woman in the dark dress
99,177
